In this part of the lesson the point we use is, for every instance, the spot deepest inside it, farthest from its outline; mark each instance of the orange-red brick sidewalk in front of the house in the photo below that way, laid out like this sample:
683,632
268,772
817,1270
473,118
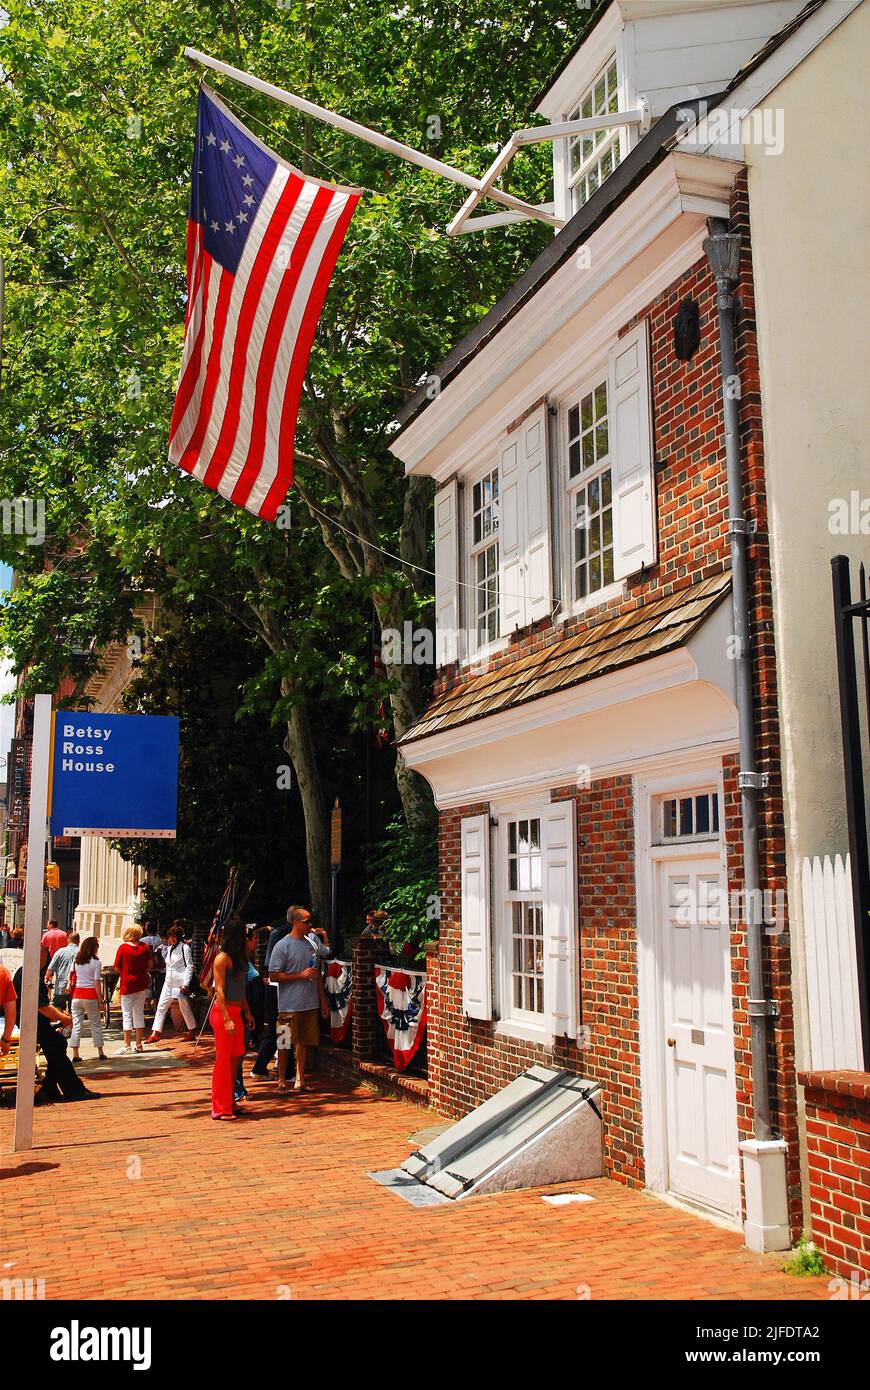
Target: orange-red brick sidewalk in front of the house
279,1206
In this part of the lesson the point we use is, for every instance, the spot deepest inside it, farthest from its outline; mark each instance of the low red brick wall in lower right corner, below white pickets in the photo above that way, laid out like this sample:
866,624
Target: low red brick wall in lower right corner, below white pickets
839,1150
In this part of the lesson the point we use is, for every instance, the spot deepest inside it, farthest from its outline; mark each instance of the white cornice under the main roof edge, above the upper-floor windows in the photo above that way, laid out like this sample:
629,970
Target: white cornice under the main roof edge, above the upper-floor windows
647,243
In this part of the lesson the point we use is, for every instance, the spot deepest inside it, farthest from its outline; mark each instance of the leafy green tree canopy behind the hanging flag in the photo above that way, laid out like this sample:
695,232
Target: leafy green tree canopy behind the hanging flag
98,109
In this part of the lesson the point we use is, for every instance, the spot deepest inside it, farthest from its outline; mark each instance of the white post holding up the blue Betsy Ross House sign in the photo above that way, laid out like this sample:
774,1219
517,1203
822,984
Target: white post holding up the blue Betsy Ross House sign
33,924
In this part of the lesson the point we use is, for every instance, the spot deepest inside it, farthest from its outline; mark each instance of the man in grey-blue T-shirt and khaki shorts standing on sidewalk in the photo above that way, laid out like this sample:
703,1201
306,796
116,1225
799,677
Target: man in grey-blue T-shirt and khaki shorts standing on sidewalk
295,968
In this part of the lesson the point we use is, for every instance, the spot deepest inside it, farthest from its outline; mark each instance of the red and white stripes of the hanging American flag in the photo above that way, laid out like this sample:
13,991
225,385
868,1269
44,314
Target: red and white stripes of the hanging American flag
248,343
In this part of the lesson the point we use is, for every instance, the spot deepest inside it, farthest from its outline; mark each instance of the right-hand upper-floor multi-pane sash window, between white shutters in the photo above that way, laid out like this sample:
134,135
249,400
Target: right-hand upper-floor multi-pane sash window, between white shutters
591,491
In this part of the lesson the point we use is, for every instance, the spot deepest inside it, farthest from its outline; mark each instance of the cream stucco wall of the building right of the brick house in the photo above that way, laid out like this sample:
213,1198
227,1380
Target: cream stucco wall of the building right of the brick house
811,231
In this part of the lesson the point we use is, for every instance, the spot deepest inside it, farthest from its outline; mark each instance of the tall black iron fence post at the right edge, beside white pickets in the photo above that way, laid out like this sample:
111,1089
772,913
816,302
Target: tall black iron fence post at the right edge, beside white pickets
854,679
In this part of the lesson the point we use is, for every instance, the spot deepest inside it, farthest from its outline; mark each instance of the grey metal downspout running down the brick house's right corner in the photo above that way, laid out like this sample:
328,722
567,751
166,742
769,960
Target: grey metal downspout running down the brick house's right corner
725,261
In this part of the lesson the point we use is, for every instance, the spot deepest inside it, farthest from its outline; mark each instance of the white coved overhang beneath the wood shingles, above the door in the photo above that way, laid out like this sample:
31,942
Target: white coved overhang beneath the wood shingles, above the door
621,722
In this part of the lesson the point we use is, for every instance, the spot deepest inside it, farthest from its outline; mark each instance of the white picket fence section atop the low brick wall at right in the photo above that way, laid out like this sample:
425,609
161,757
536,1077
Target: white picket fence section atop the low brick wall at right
832,972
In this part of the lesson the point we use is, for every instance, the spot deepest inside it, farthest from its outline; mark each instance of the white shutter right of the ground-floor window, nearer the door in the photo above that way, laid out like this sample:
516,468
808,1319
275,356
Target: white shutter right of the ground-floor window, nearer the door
561,947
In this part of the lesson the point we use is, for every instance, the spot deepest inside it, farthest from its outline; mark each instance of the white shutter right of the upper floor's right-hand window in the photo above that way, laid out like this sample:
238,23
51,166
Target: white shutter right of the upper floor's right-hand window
634,521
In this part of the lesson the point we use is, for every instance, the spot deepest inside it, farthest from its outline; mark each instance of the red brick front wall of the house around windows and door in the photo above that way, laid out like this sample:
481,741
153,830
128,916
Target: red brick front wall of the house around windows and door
693,546
